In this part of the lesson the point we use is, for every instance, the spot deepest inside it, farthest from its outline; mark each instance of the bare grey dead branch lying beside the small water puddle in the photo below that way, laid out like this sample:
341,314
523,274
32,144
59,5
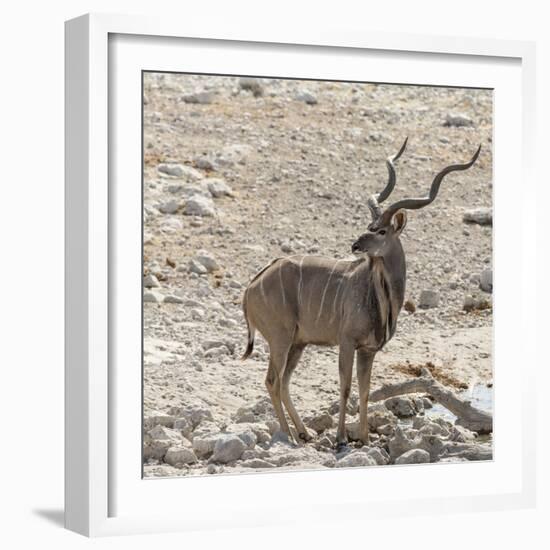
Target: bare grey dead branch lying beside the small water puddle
467,415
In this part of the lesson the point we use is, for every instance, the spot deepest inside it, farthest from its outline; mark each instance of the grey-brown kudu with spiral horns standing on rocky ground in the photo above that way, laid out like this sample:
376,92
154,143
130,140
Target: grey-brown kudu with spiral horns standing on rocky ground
299,300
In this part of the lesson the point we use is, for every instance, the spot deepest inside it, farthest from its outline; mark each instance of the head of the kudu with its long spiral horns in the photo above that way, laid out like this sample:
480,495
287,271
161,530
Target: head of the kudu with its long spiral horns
386,226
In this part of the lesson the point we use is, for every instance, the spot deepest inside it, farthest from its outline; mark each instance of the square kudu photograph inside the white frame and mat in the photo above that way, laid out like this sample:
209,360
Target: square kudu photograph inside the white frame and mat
317,274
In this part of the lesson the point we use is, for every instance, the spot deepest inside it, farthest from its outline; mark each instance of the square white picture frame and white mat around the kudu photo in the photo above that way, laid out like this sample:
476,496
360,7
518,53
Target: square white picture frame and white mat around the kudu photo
103,498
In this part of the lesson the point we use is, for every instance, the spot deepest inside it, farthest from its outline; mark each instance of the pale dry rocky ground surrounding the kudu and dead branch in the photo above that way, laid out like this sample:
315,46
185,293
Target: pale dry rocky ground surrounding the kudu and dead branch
240,171
